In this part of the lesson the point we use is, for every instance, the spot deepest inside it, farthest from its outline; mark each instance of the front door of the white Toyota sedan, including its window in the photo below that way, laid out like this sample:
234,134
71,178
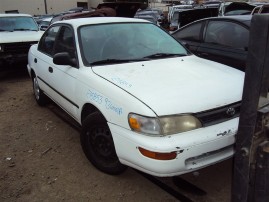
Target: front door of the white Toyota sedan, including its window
63,78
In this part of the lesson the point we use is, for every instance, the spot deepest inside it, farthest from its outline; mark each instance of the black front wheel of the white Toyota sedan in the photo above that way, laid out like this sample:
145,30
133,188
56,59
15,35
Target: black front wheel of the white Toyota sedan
97,144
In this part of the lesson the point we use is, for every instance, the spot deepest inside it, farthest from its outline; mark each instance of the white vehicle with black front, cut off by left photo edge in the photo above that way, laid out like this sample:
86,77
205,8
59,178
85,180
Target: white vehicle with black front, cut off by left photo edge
17,33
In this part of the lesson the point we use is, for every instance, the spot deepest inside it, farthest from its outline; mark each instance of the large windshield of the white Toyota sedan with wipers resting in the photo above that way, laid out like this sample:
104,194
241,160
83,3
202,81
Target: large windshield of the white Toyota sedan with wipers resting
126,42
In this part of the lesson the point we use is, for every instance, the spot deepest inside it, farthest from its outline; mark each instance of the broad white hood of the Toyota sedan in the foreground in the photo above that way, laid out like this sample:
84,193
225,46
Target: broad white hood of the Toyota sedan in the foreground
178,85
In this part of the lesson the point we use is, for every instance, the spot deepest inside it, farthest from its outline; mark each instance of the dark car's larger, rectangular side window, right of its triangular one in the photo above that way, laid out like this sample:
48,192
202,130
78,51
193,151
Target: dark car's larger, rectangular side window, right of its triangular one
228,34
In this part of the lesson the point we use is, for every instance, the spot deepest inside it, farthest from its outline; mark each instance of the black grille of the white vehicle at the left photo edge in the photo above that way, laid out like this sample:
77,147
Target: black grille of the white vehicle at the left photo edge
18,47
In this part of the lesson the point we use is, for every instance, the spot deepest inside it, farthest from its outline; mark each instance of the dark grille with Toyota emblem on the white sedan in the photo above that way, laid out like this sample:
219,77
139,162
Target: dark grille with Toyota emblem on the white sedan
218,115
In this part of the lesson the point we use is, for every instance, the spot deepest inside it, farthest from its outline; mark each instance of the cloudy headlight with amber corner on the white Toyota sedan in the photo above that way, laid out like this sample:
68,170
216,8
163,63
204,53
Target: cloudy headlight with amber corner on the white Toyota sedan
163,125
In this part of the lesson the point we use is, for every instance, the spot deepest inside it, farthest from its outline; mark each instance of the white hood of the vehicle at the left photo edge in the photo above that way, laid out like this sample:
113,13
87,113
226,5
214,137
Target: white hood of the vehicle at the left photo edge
20,36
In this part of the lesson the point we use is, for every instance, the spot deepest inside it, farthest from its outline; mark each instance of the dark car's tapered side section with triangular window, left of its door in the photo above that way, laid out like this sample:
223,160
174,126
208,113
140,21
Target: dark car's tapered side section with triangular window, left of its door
190,36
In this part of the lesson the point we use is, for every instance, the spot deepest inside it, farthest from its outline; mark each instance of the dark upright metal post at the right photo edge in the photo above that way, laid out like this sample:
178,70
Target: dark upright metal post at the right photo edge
251,161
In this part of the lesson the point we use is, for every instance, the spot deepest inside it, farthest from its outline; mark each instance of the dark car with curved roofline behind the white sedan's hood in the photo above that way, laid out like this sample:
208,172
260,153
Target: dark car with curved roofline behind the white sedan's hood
221,39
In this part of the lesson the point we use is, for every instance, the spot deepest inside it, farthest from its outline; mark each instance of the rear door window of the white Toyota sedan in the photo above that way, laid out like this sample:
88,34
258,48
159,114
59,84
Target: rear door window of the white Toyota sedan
46,43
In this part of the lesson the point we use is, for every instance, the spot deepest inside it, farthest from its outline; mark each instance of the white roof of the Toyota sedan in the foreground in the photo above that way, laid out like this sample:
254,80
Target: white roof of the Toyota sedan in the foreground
99,20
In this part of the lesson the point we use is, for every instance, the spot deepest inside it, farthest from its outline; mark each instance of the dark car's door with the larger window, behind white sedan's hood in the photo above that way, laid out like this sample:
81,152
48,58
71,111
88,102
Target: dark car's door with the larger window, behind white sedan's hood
225,42
